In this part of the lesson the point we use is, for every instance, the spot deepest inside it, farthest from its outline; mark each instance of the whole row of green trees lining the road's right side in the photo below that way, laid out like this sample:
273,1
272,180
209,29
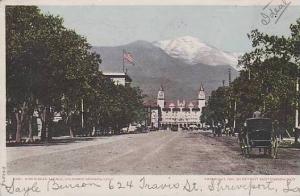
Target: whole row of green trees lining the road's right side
267,83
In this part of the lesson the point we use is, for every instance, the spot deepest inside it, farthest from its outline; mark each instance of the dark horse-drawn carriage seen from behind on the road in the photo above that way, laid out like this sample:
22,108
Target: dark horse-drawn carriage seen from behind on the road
258,133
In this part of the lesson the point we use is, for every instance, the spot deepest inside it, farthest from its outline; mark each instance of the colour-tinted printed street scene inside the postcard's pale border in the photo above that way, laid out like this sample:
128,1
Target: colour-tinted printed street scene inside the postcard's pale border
152,89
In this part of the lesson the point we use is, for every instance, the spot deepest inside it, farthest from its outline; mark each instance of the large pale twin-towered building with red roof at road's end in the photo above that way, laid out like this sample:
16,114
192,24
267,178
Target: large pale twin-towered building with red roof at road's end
179,114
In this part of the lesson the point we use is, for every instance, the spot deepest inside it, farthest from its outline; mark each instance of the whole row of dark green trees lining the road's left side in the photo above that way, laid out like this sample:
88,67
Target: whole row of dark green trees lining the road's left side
49,69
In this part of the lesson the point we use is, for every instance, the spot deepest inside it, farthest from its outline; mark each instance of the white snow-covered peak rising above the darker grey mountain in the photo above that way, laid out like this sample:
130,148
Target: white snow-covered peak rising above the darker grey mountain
192,51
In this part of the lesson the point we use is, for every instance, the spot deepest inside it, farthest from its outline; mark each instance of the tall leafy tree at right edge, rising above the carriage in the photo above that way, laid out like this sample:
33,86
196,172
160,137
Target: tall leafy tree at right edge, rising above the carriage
272,70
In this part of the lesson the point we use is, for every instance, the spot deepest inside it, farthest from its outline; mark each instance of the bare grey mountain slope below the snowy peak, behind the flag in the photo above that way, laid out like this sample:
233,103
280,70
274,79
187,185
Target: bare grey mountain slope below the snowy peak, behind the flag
155,67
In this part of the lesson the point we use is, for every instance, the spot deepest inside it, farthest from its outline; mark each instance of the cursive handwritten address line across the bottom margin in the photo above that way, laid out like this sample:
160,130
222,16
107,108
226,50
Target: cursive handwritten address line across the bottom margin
247,187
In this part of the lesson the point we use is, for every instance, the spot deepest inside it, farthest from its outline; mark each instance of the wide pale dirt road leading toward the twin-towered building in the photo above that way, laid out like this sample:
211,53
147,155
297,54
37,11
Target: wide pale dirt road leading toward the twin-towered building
162,152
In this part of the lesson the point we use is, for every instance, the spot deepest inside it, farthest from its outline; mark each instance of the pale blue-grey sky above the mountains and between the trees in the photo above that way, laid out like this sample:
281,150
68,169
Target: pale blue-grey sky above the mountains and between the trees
224,27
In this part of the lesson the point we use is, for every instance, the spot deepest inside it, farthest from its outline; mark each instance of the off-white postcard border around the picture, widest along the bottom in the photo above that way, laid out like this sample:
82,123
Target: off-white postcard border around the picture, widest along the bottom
88,185
